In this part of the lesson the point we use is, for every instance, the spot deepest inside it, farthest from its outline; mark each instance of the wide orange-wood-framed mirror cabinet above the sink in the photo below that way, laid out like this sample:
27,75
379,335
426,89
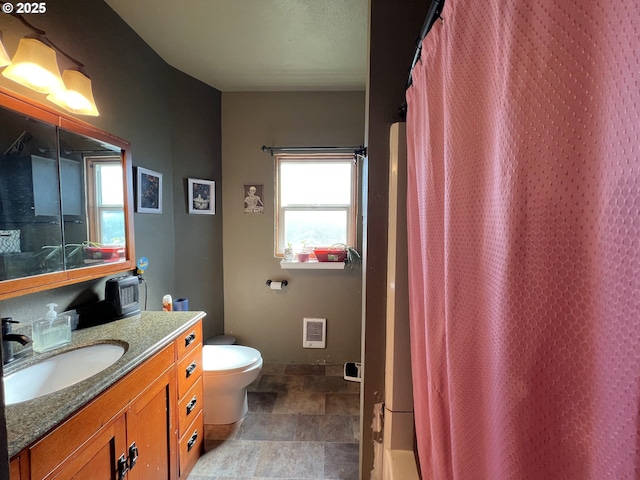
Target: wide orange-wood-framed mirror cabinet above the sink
65,190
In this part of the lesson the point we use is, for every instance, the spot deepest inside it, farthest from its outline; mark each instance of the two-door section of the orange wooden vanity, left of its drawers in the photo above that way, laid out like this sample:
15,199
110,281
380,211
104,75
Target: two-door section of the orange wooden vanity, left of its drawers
109,451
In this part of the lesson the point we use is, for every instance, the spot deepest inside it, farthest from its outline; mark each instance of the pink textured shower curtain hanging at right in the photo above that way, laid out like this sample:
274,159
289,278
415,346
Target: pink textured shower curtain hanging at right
523,133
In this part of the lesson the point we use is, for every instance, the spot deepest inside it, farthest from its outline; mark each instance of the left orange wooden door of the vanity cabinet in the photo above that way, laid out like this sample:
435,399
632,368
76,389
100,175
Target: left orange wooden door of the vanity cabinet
99,457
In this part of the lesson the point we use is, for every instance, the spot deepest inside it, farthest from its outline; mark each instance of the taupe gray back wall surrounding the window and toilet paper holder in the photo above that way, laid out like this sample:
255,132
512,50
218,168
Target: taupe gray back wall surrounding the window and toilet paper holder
272,320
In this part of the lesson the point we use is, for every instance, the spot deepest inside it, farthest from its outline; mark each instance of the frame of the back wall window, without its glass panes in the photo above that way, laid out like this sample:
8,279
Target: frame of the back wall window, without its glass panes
351,209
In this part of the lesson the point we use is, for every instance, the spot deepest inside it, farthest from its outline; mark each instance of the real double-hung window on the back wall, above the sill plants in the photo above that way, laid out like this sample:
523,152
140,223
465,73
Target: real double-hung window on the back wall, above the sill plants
315,200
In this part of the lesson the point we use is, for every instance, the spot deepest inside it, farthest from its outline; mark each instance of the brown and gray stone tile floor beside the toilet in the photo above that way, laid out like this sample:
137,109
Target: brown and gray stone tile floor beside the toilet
303,423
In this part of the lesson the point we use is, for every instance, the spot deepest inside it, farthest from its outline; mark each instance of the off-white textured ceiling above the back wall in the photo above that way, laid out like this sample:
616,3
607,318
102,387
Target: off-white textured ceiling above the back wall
257,45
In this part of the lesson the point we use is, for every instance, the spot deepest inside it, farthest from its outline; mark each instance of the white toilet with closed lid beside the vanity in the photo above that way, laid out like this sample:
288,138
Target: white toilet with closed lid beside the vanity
227,371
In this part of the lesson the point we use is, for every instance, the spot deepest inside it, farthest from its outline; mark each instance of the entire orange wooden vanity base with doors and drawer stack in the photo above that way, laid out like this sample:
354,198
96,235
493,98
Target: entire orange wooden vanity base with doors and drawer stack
131,431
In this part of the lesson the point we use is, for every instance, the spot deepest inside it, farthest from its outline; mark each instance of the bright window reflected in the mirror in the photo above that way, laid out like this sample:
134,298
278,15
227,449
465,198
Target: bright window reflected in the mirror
106,219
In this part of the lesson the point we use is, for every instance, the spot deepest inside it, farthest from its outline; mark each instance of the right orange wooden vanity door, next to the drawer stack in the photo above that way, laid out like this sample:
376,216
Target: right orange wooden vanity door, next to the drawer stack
151,445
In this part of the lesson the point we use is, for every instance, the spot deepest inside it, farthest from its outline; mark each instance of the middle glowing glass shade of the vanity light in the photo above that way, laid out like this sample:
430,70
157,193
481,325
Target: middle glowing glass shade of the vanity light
35,66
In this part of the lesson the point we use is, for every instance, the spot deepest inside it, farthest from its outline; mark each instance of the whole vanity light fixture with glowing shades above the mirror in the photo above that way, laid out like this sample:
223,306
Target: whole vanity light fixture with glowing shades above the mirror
35,66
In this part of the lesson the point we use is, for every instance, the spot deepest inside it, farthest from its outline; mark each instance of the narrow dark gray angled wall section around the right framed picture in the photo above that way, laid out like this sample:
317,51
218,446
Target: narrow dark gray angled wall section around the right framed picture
198,238
